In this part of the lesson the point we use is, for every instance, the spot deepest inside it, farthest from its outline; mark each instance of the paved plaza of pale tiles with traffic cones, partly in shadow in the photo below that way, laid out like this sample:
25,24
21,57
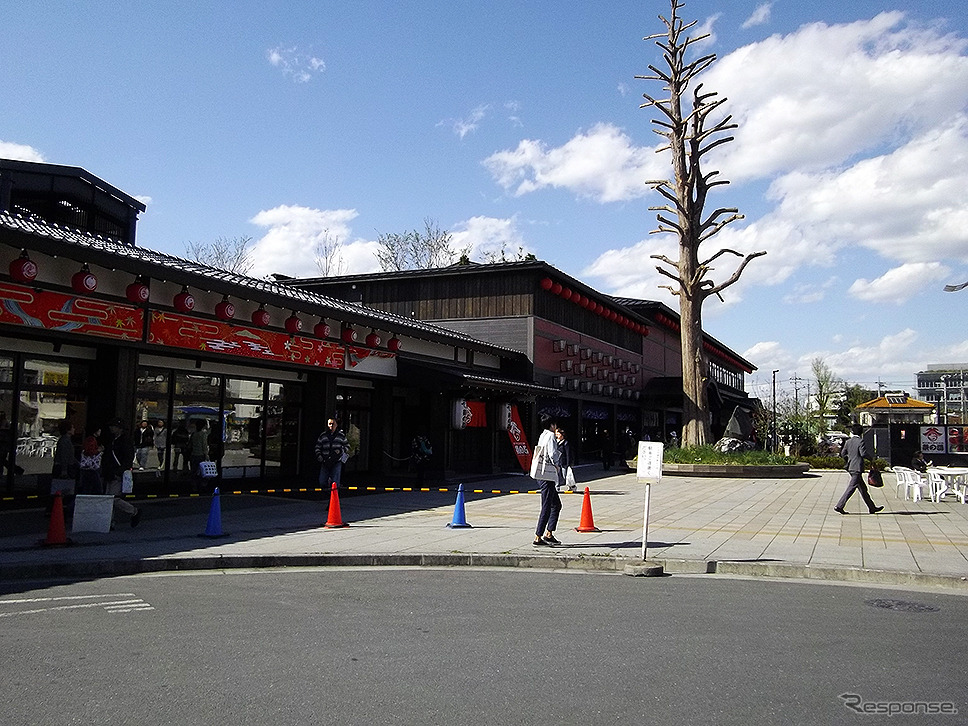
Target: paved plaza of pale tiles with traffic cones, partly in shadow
758,527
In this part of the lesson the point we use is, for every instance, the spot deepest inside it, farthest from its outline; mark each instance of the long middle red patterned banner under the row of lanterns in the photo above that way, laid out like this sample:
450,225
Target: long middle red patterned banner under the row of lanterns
179,331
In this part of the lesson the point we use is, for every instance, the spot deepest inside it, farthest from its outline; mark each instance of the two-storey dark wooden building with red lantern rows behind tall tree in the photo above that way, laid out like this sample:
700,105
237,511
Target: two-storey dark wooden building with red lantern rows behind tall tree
613,365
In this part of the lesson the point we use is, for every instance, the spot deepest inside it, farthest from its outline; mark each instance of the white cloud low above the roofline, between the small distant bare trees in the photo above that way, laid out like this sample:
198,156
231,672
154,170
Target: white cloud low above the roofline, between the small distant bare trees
290,244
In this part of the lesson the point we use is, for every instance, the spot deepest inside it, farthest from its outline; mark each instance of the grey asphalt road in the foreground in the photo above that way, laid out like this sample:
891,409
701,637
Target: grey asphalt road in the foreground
420,646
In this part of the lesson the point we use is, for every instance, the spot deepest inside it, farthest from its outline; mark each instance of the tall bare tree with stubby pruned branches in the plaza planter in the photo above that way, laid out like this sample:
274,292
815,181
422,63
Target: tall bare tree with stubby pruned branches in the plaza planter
690,137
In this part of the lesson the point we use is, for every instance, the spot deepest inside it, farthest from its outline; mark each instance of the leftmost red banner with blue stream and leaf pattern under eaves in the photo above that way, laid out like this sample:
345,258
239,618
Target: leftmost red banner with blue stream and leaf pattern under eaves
69,313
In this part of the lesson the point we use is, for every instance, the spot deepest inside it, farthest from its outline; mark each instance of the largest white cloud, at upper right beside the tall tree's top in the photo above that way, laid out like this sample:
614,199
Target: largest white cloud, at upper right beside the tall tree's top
817,97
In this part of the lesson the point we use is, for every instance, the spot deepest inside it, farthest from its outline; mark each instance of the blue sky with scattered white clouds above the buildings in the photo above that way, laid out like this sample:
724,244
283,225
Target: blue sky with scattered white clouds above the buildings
517,124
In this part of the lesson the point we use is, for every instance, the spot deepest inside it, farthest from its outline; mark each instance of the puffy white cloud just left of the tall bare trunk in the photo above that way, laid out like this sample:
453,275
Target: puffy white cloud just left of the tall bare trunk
601,163
